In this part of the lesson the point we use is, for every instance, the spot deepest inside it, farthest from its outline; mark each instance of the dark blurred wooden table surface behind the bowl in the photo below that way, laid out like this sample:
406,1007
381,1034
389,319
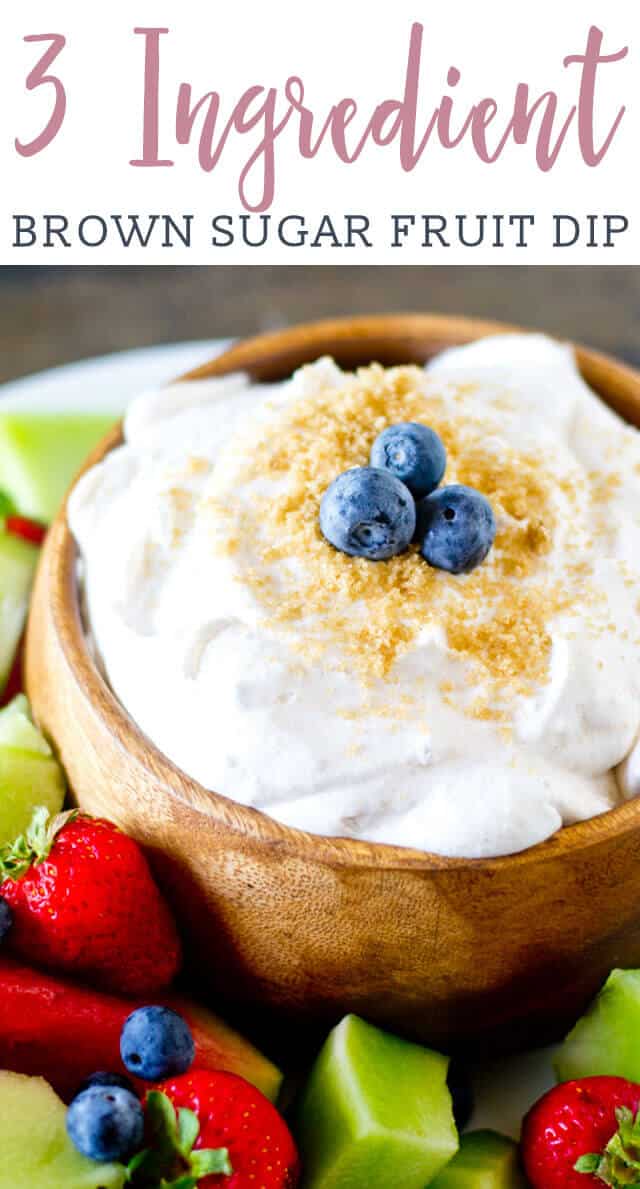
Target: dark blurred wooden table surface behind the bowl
55,316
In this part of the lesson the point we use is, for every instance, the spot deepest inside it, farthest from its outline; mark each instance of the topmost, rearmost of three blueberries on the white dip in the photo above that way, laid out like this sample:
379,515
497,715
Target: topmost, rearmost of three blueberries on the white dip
412,452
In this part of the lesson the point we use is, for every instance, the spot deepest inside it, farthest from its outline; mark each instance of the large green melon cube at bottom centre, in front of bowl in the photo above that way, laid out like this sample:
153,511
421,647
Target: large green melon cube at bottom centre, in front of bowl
377,1112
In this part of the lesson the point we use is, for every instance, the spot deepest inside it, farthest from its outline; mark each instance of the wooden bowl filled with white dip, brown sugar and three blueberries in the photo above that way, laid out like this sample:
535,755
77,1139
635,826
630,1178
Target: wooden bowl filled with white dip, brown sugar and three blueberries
343,628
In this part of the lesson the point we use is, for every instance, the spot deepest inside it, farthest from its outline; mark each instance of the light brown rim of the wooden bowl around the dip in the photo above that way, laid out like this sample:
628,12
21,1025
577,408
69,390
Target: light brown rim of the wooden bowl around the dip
253,825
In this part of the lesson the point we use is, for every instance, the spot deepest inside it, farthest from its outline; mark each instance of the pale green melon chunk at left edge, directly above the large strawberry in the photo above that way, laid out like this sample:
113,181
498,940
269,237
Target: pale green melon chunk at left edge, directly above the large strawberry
30,775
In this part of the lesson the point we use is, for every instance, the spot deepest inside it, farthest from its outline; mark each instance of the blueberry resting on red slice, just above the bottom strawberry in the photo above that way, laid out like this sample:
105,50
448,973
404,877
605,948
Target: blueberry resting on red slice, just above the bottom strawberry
156,1043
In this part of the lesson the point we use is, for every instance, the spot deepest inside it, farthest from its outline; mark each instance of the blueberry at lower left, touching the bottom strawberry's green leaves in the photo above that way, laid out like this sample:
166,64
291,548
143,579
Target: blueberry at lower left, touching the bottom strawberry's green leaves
106,1123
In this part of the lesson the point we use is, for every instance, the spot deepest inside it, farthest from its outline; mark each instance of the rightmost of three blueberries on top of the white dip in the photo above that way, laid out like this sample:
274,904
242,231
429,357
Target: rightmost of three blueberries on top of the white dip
456,529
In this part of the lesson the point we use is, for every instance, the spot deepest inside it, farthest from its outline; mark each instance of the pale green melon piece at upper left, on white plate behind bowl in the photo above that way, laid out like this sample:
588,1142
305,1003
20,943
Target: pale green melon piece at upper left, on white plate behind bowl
42,452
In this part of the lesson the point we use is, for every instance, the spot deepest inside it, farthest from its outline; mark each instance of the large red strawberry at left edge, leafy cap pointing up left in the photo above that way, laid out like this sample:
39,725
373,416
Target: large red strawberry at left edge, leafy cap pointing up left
84,902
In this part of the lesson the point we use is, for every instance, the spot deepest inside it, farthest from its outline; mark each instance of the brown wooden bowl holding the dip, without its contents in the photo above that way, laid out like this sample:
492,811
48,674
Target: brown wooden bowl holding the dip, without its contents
446,951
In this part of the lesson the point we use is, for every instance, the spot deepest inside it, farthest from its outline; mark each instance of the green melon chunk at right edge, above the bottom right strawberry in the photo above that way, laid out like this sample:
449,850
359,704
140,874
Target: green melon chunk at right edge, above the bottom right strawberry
607,1039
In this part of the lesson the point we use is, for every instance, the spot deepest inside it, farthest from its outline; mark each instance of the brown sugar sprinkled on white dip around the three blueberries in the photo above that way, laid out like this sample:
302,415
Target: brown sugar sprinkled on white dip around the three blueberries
365,616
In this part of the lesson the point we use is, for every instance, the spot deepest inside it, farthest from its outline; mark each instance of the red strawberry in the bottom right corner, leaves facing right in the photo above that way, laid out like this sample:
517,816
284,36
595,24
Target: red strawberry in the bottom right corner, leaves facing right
585,1134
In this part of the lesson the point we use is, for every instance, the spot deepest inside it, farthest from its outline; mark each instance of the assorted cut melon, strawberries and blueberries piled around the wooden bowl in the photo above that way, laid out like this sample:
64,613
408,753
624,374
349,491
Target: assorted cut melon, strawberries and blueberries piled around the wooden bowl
112,1074
